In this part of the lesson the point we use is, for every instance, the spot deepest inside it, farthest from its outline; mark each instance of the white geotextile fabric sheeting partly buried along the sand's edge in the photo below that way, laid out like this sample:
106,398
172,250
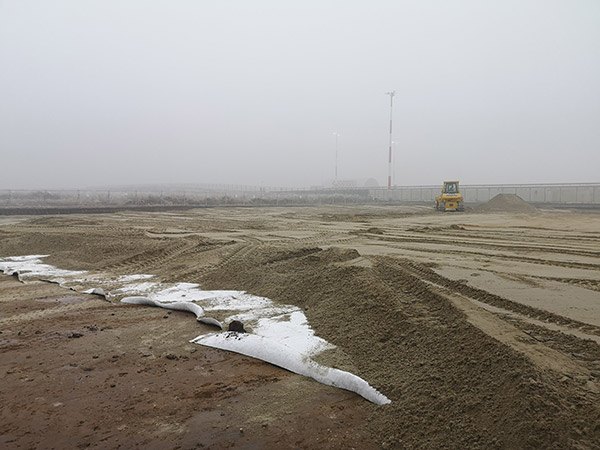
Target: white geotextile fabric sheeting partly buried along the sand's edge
283,336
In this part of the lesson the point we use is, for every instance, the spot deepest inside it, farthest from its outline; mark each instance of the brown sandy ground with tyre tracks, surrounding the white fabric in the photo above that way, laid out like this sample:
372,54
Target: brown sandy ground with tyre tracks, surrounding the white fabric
482,328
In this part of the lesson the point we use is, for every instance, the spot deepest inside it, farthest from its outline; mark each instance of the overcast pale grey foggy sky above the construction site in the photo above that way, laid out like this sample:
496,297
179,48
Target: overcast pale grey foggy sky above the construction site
250,92
